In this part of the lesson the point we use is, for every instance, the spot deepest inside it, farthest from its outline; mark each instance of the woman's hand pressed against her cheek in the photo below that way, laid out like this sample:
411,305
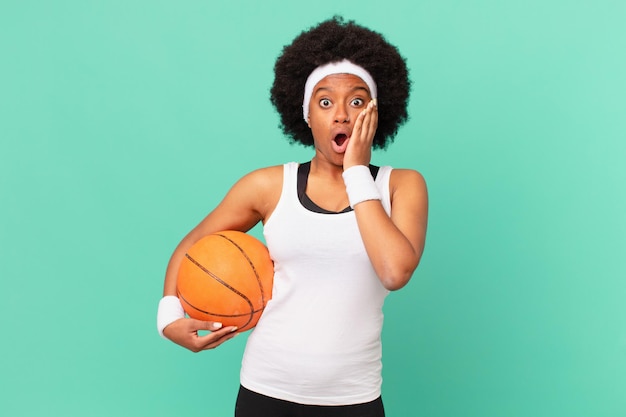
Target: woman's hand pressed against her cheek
359,151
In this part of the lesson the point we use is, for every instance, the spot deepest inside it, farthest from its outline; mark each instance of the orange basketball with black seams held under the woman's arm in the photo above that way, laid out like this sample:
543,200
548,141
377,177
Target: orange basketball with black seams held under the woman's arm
226,277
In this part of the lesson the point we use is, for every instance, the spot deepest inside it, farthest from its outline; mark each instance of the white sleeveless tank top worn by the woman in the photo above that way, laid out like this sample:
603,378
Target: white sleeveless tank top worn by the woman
318,340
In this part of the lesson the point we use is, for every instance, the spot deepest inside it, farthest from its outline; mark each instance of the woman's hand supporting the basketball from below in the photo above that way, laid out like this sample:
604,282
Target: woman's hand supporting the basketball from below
184,332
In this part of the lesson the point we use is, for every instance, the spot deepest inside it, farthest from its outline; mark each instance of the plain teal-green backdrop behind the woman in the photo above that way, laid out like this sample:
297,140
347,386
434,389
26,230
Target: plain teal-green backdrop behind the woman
122,123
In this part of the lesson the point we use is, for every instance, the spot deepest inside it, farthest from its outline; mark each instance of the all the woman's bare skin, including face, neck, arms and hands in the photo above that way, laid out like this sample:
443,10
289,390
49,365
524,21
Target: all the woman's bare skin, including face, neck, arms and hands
341,103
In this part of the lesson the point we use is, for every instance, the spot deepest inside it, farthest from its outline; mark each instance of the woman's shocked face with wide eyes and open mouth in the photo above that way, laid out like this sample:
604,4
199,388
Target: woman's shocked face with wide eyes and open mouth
335,104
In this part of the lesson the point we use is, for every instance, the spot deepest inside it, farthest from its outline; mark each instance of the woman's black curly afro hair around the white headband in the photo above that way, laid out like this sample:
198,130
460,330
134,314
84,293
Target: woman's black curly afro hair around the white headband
331,41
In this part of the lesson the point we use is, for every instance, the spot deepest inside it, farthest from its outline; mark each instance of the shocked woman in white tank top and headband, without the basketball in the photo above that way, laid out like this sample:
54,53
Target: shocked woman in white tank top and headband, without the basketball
342,233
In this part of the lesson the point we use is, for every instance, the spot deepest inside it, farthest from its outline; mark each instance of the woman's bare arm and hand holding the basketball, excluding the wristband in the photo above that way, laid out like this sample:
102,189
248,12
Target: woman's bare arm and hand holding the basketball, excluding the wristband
249,201
